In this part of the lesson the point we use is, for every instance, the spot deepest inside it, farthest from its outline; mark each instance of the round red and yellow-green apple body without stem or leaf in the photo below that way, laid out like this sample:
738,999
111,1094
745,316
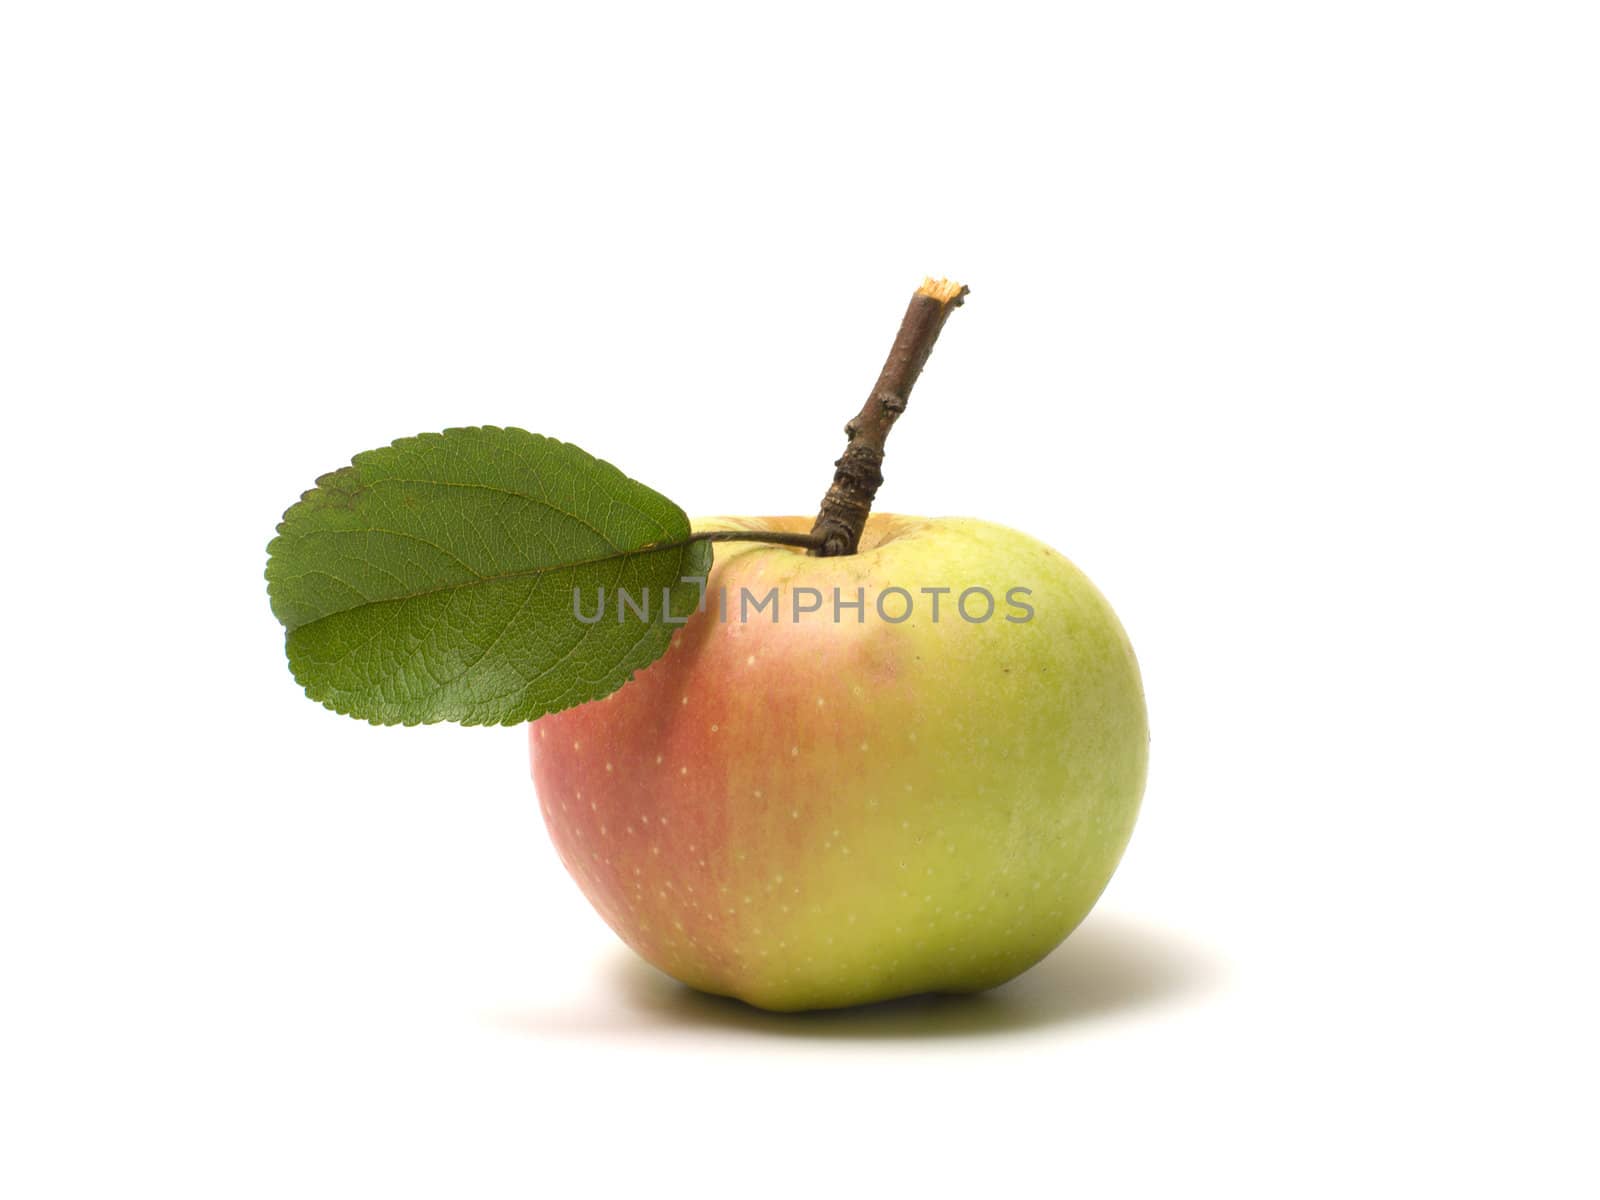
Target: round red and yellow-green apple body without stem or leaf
810,814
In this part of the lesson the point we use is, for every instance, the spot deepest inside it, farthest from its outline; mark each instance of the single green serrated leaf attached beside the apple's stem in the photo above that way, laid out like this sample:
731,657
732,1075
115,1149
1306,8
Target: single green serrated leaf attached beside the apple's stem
433,580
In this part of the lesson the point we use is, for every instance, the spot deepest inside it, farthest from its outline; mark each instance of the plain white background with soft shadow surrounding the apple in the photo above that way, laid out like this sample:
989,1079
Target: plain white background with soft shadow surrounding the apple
1284,327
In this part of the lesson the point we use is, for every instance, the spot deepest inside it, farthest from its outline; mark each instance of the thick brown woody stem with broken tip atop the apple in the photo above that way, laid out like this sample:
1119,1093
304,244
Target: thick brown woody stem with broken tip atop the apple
858,473
